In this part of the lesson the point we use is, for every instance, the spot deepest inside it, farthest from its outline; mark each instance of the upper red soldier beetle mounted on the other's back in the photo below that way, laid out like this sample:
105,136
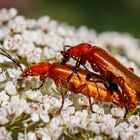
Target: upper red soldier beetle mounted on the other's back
108,67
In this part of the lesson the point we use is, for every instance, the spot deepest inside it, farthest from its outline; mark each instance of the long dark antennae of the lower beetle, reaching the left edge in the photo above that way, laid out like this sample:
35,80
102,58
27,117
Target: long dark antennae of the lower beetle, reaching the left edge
4,53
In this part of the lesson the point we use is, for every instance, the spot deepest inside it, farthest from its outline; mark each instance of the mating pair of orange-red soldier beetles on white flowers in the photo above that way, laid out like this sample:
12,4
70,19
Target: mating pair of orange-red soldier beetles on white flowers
115,83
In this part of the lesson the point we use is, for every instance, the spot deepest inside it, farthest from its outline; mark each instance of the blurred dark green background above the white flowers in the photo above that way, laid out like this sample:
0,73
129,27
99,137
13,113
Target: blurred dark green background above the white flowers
102,15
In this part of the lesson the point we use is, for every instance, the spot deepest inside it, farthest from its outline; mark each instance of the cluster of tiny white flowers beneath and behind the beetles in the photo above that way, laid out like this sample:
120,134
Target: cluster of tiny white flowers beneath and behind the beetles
30,115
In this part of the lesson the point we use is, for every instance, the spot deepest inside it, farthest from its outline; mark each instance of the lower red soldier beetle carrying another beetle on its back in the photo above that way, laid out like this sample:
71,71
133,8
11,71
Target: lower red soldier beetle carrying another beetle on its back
80,83
